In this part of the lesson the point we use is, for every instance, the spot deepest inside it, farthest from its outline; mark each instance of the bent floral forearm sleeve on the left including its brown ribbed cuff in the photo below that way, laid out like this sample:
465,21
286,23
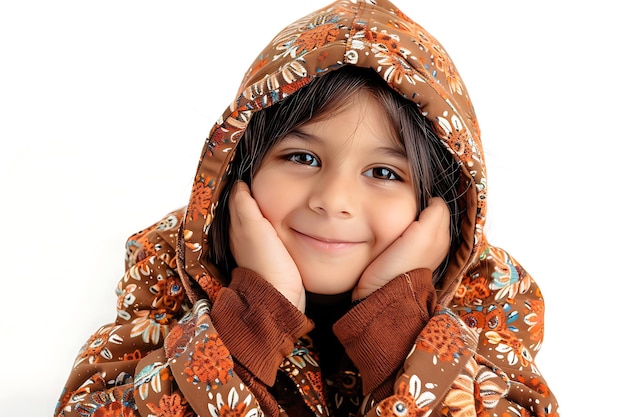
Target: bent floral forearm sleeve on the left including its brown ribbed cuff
221,359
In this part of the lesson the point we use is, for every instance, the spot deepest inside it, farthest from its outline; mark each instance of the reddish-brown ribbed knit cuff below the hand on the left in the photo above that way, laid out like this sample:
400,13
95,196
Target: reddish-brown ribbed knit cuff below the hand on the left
257,323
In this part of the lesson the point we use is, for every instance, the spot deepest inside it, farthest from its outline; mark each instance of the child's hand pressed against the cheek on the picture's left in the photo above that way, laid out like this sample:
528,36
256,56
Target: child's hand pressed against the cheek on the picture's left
255,245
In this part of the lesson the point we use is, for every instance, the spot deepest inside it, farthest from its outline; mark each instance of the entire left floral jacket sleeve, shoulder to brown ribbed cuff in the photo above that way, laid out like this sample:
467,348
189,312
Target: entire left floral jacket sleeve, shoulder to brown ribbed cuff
162,356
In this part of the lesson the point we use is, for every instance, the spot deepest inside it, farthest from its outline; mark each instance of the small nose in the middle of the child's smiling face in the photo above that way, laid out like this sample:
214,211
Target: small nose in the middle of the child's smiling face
334,195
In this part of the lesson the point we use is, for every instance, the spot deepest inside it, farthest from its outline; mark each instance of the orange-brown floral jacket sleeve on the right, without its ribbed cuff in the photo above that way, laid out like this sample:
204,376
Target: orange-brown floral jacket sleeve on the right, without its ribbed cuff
476,356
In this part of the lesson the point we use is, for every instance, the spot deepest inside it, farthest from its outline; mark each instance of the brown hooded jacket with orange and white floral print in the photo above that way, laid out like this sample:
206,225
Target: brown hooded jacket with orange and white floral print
171,350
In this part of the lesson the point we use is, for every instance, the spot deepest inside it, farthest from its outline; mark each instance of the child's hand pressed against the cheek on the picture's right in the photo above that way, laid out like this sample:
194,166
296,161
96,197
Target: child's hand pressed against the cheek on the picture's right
424,244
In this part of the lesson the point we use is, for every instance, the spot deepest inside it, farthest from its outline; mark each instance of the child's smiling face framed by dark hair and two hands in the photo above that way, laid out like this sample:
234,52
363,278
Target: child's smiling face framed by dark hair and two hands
338,191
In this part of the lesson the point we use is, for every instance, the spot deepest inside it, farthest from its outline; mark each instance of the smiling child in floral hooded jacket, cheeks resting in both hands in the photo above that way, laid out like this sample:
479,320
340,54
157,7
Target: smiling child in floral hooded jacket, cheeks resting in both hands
331,259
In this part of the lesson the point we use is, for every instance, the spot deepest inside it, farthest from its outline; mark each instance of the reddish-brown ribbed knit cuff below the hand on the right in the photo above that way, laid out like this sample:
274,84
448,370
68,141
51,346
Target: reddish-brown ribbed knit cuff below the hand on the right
380,331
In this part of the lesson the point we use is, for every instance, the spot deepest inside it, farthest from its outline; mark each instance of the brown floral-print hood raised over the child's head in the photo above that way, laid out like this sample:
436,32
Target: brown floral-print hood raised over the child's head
372,34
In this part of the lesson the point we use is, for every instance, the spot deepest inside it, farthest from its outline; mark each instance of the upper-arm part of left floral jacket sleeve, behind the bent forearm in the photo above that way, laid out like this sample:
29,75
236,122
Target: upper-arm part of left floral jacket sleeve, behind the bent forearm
150,298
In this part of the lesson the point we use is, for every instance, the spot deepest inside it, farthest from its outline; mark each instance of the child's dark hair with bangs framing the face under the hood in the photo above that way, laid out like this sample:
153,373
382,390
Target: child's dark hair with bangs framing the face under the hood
434,171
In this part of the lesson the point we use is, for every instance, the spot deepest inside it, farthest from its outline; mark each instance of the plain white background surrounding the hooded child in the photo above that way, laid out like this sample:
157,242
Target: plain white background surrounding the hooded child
104,107
